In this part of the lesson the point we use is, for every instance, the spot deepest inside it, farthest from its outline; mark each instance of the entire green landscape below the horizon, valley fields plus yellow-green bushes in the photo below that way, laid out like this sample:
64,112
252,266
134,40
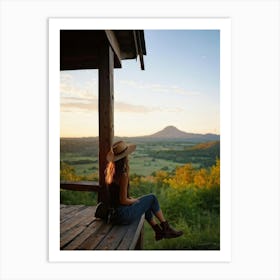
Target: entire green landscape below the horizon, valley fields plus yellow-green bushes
183,175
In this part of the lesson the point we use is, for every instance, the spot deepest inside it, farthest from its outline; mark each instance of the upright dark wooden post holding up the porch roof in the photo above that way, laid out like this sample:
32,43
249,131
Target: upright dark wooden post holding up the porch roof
106,112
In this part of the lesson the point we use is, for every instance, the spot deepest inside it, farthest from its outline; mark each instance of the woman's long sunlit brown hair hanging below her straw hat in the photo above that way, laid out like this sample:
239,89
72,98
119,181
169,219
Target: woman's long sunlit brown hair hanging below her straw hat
114,170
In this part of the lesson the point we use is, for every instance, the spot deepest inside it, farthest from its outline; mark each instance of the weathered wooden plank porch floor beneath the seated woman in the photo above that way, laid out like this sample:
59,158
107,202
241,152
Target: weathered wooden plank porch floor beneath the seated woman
80,230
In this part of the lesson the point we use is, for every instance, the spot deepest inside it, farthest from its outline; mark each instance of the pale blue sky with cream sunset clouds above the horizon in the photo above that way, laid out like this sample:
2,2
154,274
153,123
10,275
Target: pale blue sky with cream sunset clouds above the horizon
180,86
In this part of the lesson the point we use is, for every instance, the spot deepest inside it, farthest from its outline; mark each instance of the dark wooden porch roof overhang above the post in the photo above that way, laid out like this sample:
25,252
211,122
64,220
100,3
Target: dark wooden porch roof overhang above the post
80,49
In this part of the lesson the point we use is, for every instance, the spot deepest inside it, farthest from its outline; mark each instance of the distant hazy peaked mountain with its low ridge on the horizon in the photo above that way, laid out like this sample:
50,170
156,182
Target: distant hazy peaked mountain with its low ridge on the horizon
171,132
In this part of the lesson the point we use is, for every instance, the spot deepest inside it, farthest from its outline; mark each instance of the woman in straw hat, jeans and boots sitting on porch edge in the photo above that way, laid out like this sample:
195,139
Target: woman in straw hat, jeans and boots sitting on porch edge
128,209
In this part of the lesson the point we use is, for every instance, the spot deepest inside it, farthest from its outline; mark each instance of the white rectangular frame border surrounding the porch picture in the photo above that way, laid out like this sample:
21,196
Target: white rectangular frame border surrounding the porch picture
224,254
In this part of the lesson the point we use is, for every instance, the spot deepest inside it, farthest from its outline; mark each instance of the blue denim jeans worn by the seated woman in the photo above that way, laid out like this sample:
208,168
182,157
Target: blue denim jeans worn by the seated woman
148,204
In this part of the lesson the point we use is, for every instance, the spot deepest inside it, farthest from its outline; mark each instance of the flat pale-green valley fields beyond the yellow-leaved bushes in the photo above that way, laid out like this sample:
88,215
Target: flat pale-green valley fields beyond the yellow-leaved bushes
148,158
